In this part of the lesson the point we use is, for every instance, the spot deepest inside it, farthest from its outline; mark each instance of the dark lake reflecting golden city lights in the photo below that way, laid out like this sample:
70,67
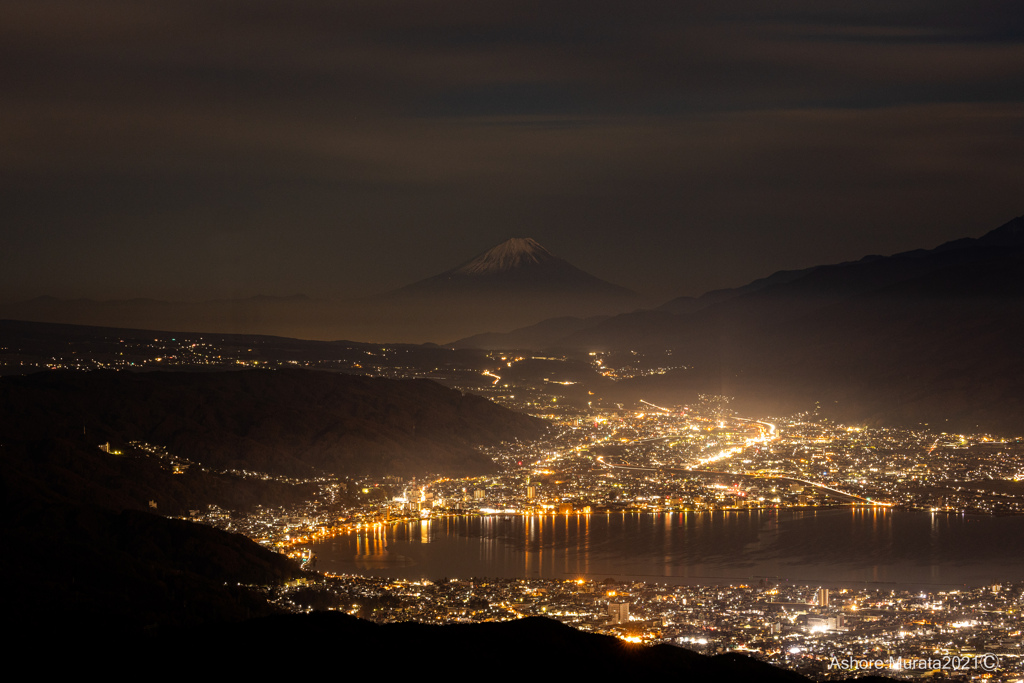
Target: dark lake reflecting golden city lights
840,547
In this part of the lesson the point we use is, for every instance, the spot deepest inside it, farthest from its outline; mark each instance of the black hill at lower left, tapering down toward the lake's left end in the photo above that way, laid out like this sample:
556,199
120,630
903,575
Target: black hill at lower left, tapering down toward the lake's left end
81,569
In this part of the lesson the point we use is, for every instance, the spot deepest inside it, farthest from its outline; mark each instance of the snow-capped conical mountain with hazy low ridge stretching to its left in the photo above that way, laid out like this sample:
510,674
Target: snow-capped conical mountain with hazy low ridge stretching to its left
514,284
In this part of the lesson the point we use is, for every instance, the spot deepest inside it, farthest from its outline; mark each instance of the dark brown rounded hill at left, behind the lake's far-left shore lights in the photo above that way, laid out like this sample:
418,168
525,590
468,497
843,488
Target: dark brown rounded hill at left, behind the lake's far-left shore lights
295,423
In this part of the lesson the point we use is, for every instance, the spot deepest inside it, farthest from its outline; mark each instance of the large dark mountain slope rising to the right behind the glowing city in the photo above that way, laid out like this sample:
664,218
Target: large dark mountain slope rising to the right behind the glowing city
925,336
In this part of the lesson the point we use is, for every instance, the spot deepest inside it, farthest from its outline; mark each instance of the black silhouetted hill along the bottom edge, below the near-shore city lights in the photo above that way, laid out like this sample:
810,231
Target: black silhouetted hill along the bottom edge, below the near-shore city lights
329,643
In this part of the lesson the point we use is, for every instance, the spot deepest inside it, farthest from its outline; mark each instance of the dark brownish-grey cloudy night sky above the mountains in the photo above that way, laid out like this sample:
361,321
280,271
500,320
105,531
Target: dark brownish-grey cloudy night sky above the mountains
214,149
